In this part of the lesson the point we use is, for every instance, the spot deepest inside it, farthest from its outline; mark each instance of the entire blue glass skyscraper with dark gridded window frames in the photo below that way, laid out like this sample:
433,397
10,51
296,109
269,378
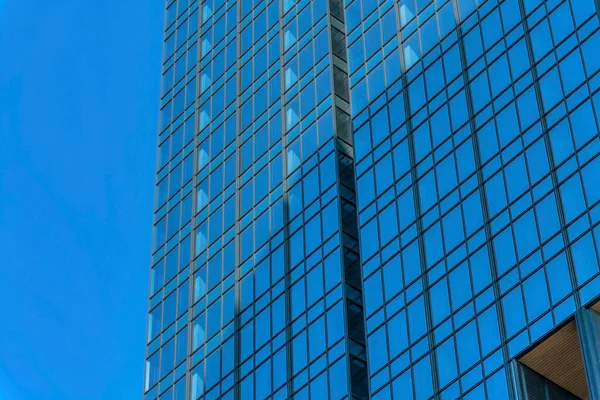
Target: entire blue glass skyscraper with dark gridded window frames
377,199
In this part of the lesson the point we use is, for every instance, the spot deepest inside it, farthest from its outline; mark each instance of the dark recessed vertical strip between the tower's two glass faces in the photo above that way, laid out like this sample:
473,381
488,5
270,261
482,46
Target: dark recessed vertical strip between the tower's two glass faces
346,195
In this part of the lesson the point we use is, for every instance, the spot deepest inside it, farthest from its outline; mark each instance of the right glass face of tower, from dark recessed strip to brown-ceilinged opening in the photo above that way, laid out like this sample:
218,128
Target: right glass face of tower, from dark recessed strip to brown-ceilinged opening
478,175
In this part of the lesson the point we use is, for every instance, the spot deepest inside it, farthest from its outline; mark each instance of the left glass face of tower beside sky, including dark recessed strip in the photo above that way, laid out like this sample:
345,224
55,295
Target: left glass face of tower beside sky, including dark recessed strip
256,289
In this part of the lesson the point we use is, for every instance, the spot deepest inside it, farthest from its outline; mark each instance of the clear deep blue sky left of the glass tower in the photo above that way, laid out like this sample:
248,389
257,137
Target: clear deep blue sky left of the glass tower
79,87
